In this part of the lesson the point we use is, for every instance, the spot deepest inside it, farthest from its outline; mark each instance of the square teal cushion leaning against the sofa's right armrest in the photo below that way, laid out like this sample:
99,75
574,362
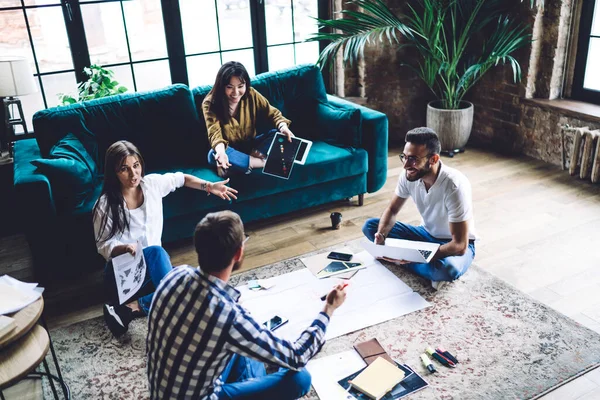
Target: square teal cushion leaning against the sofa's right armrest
339,127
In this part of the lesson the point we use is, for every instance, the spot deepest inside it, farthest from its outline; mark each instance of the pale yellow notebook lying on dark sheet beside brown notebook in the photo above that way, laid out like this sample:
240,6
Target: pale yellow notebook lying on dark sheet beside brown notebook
378,378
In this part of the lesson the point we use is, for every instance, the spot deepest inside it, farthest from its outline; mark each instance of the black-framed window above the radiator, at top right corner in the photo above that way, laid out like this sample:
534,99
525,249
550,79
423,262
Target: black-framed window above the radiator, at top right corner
586,79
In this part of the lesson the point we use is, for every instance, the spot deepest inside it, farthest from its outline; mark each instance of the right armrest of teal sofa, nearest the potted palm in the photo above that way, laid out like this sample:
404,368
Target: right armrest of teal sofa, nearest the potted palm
374,141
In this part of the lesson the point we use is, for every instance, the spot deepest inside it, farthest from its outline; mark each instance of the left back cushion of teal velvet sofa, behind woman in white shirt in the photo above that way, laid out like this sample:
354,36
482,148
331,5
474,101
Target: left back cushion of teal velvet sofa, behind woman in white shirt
162,123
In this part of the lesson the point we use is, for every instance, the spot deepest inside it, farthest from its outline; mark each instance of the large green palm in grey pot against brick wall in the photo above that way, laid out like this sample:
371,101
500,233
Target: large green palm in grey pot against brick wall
457,42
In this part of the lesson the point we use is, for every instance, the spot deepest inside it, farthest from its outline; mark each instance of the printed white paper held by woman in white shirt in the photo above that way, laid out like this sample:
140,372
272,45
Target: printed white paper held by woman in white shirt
130,272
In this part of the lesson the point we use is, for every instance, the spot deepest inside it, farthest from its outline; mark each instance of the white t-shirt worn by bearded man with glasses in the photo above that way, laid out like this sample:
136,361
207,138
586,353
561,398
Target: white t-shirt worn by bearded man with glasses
448,200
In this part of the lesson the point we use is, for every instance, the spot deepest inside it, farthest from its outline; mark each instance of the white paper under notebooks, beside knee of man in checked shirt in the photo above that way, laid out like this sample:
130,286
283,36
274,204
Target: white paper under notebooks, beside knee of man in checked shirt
325,373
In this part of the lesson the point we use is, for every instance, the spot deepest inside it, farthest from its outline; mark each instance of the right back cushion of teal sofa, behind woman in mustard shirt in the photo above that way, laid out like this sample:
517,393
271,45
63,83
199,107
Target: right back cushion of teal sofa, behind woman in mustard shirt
295,91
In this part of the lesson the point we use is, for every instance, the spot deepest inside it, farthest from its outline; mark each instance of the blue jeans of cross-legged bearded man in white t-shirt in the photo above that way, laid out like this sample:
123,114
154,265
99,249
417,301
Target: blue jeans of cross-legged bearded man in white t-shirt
442,269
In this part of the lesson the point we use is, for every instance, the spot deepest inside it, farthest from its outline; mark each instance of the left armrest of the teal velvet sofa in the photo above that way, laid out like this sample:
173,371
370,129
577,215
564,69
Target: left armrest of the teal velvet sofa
32,189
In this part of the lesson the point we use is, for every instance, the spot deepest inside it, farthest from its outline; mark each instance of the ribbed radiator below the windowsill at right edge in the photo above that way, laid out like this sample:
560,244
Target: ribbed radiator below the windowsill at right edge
585,152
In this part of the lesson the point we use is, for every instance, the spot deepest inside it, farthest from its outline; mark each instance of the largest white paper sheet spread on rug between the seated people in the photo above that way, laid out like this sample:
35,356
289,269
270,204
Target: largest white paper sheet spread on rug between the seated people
375,295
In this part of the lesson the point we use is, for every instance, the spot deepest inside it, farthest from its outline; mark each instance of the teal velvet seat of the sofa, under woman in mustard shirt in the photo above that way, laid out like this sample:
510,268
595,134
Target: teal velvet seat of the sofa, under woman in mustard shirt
324,163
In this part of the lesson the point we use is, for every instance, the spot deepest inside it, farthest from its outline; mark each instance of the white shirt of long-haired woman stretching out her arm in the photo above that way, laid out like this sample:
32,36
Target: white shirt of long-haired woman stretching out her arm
146,221
